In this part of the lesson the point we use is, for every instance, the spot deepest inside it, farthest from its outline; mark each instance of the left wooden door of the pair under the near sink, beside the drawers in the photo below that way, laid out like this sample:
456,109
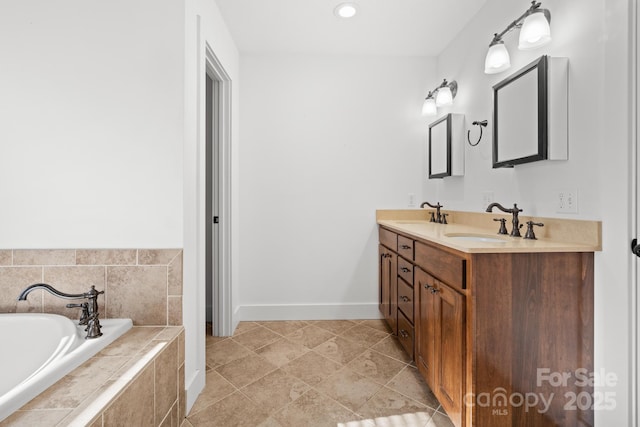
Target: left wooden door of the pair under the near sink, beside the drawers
425,325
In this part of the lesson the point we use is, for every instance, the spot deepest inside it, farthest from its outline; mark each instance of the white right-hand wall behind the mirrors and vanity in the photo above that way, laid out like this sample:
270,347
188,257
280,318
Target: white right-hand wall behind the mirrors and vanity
595,38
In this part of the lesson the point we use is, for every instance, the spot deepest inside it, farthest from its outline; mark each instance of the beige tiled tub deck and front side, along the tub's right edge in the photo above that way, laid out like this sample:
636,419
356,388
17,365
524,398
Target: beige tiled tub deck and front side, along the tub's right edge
153,397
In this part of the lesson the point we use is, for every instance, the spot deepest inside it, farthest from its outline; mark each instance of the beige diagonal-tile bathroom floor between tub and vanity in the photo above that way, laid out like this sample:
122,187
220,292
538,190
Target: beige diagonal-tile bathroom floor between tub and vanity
338,373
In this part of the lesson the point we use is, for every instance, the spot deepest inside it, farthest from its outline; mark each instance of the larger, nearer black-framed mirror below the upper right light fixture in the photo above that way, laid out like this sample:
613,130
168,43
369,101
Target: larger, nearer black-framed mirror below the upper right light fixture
520,122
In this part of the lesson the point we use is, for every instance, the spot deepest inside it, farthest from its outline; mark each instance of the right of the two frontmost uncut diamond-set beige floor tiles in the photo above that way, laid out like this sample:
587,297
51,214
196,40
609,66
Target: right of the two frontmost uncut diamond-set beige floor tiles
349,388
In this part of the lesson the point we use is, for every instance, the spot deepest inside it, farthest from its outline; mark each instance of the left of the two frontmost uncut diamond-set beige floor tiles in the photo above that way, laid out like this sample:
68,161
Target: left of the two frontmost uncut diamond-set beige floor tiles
275,390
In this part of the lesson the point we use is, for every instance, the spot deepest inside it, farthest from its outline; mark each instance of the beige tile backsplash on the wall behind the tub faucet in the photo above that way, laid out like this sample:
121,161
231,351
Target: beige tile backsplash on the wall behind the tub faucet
142,284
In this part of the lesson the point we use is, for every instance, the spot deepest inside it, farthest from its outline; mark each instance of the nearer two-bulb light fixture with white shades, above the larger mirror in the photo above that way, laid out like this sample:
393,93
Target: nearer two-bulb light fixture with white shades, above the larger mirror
534,32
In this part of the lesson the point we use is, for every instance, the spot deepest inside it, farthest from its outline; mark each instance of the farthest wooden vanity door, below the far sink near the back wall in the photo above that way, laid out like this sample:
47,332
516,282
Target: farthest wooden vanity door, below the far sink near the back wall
388,286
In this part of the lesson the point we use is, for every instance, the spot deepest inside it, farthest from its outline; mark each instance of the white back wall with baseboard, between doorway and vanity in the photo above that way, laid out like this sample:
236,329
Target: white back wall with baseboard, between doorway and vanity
326,140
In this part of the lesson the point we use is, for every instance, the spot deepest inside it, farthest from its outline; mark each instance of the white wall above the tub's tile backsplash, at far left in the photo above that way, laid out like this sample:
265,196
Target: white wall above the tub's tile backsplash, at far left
91,124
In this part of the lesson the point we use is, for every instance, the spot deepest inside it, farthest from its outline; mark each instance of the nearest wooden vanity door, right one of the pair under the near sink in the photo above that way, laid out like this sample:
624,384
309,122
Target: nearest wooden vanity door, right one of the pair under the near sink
450,349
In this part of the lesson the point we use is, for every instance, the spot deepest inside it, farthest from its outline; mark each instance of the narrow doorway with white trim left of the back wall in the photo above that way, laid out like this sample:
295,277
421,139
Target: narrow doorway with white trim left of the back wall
217,197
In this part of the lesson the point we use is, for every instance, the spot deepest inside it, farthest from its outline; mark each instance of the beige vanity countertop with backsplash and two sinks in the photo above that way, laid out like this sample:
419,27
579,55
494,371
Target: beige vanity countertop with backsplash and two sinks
557,235
